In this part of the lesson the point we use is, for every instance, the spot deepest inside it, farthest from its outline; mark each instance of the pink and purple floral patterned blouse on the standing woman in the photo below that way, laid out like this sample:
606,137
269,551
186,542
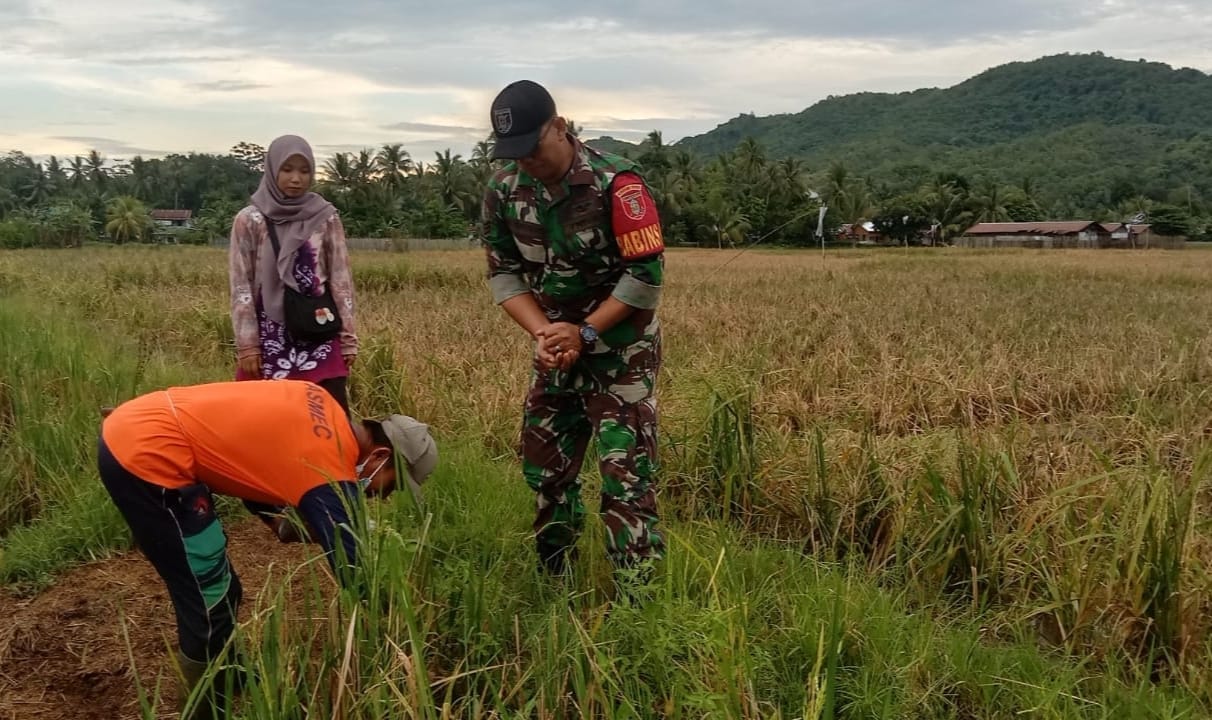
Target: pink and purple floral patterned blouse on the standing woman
323,259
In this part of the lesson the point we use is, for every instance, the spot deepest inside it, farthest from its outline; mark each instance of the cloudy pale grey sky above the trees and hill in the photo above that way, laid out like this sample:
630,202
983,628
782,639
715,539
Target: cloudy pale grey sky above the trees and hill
153,77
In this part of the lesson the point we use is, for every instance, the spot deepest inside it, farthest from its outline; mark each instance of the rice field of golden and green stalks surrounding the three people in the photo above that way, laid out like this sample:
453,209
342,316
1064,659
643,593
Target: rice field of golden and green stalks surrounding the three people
900,484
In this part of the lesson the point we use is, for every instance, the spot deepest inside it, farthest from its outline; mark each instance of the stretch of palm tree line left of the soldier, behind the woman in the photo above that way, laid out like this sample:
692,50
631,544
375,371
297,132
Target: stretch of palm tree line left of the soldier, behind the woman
384,193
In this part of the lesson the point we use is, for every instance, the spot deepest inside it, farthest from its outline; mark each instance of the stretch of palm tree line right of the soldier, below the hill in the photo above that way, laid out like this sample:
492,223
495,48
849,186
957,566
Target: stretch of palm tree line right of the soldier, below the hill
746,197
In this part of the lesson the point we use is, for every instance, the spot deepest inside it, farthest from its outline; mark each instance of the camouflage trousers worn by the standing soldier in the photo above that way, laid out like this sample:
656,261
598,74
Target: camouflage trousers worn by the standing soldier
608,396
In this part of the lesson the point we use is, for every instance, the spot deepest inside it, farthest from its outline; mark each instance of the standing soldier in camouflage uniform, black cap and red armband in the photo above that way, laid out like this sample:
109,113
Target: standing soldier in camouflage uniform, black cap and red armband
576,258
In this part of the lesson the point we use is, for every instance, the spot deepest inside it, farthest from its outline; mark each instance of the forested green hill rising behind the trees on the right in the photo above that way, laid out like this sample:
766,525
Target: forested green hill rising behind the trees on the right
1085,129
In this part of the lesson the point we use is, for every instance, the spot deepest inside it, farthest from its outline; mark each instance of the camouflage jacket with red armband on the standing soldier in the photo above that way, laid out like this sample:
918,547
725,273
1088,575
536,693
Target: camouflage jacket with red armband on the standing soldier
599,236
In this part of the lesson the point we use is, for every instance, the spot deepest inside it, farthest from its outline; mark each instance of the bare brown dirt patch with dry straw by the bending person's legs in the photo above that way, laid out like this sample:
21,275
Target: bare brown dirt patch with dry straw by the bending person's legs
65,654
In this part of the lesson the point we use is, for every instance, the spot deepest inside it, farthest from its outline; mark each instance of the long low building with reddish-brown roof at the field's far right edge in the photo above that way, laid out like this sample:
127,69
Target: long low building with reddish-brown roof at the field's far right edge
1065,235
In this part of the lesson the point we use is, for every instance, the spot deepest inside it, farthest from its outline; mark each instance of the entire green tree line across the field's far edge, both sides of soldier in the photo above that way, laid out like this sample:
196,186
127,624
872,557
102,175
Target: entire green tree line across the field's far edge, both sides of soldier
738,198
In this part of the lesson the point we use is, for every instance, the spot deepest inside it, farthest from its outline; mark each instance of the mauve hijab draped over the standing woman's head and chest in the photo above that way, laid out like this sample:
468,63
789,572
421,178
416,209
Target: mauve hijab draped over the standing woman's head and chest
295,219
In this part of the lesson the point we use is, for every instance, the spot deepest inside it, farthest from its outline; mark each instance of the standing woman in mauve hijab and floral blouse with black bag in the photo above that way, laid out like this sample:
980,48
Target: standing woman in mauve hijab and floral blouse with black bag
310,259
